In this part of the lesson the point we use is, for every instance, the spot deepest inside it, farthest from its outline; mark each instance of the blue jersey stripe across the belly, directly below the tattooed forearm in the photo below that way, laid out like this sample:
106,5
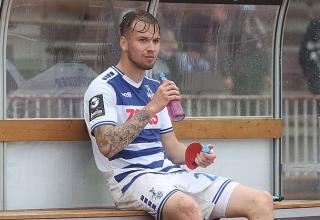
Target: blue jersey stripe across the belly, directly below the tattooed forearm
129,154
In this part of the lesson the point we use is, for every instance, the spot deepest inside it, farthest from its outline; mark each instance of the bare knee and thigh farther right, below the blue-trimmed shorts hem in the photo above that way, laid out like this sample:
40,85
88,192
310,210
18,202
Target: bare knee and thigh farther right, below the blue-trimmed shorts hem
251,203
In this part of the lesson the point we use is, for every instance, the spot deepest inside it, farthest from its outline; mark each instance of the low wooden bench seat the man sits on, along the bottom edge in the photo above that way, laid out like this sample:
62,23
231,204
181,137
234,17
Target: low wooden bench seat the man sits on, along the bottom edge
283,209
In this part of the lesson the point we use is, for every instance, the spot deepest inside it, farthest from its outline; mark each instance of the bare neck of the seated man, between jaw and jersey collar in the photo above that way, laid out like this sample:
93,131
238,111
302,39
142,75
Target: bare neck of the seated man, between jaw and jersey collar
131,70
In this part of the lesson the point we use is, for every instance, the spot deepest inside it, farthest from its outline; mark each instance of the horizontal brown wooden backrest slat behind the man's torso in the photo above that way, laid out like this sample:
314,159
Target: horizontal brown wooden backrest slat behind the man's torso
75,129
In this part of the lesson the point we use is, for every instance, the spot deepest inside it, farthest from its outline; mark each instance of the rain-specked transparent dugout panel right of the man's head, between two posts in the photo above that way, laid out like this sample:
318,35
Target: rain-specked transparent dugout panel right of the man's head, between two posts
220,56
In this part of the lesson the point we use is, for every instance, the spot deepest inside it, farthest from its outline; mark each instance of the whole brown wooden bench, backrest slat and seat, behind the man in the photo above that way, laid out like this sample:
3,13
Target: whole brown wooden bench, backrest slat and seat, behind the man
75,130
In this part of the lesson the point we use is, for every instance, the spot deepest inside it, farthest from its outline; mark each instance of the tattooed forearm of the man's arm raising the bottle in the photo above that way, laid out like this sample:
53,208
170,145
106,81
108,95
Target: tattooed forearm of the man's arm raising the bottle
113,139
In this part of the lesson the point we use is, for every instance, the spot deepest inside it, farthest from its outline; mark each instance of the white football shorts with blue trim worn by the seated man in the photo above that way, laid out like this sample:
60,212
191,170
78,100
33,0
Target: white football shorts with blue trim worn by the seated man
151,191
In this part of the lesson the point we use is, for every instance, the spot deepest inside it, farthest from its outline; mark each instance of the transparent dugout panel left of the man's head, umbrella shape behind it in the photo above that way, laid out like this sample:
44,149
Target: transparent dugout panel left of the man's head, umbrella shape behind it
54,50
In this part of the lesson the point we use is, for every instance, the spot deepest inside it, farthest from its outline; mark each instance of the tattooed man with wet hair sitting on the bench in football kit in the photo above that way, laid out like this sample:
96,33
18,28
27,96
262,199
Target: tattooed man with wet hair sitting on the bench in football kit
135,146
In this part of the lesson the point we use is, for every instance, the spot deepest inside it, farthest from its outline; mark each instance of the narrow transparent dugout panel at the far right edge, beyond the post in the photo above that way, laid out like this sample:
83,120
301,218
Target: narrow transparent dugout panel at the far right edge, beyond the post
301,101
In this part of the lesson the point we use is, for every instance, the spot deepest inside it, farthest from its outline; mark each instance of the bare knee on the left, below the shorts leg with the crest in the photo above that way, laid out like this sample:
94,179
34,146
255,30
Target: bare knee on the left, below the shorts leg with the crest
181,207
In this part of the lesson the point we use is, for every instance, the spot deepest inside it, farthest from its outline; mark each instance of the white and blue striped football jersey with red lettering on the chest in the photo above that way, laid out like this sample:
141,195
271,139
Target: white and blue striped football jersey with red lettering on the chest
113,98
